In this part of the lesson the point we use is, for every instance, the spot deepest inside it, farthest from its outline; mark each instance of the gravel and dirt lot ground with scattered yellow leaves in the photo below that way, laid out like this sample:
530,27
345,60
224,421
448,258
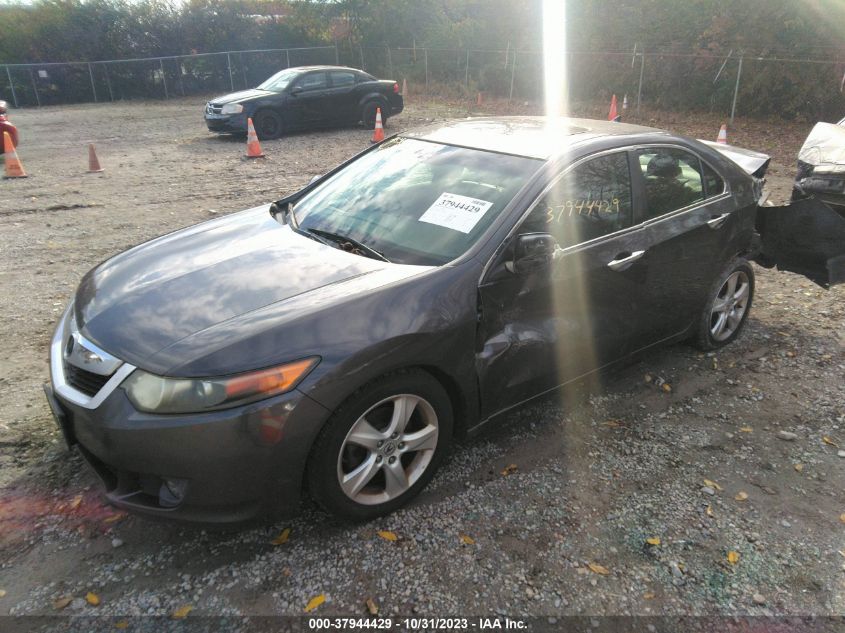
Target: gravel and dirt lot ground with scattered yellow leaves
565,532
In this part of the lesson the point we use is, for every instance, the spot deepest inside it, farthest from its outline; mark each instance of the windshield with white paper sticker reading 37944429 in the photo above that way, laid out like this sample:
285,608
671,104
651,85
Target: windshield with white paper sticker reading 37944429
416,202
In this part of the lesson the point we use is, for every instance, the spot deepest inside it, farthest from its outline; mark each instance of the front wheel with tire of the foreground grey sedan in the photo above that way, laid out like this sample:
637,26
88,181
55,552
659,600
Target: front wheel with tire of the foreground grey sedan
358,469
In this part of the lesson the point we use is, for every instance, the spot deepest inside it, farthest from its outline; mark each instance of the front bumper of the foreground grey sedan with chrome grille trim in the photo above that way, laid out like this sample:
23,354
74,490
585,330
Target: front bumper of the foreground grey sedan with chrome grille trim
230,466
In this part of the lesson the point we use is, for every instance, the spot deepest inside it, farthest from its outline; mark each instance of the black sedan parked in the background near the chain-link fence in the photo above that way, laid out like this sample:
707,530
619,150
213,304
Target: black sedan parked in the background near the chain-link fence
303,98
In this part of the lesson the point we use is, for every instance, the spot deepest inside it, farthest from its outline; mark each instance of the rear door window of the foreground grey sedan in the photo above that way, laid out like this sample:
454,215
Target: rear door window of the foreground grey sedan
672,179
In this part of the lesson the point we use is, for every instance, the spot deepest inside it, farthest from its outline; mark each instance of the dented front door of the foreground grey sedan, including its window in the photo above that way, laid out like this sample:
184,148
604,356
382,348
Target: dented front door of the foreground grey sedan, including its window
541,329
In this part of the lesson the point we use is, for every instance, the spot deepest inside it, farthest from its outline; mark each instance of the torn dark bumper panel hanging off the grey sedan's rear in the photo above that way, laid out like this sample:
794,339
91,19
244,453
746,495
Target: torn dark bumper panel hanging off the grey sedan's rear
805,237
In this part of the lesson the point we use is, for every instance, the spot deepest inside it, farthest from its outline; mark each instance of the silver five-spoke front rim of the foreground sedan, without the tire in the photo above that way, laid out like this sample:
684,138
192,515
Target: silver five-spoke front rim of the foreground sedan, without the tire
387,449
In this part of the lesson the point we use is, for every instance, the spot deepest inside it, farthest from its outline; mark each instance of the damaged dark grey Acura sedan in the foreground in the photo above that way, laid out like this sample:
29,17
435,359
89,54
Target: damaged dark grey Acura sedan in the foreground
340,339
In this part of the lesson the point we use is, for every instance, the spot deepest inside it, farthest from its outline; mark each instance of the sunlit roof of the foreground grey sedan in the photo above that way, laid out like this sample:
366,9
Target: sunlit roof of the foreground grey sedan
530,136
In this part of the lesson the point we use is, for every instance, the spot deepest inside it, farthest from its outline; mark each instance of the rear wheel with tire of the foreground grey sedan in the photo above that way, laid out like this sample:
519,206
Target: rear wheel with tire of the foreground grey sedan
728,305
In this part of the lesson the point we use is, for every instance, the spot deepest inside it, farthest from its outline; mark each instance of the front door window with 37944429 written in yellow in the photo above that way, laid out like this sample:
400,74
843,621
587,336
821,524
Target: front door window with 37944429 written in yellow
591,200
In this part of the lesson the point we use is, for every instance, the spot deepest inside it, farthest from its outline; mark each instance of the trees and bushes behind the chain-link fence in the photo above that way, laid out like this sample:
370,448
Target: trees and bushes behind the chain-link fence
686,43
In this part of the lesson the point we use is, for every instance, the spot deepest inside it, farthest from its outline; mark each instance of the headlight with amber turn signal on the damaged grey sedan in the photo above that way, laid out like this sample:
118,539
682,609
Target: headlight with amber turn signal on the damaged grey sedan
156,394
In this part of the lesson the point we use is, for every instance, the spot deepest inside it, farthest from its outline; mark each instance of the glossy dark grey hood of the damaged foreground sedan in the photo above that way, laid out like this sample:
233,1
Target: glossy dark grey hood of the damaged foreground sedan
161,292
